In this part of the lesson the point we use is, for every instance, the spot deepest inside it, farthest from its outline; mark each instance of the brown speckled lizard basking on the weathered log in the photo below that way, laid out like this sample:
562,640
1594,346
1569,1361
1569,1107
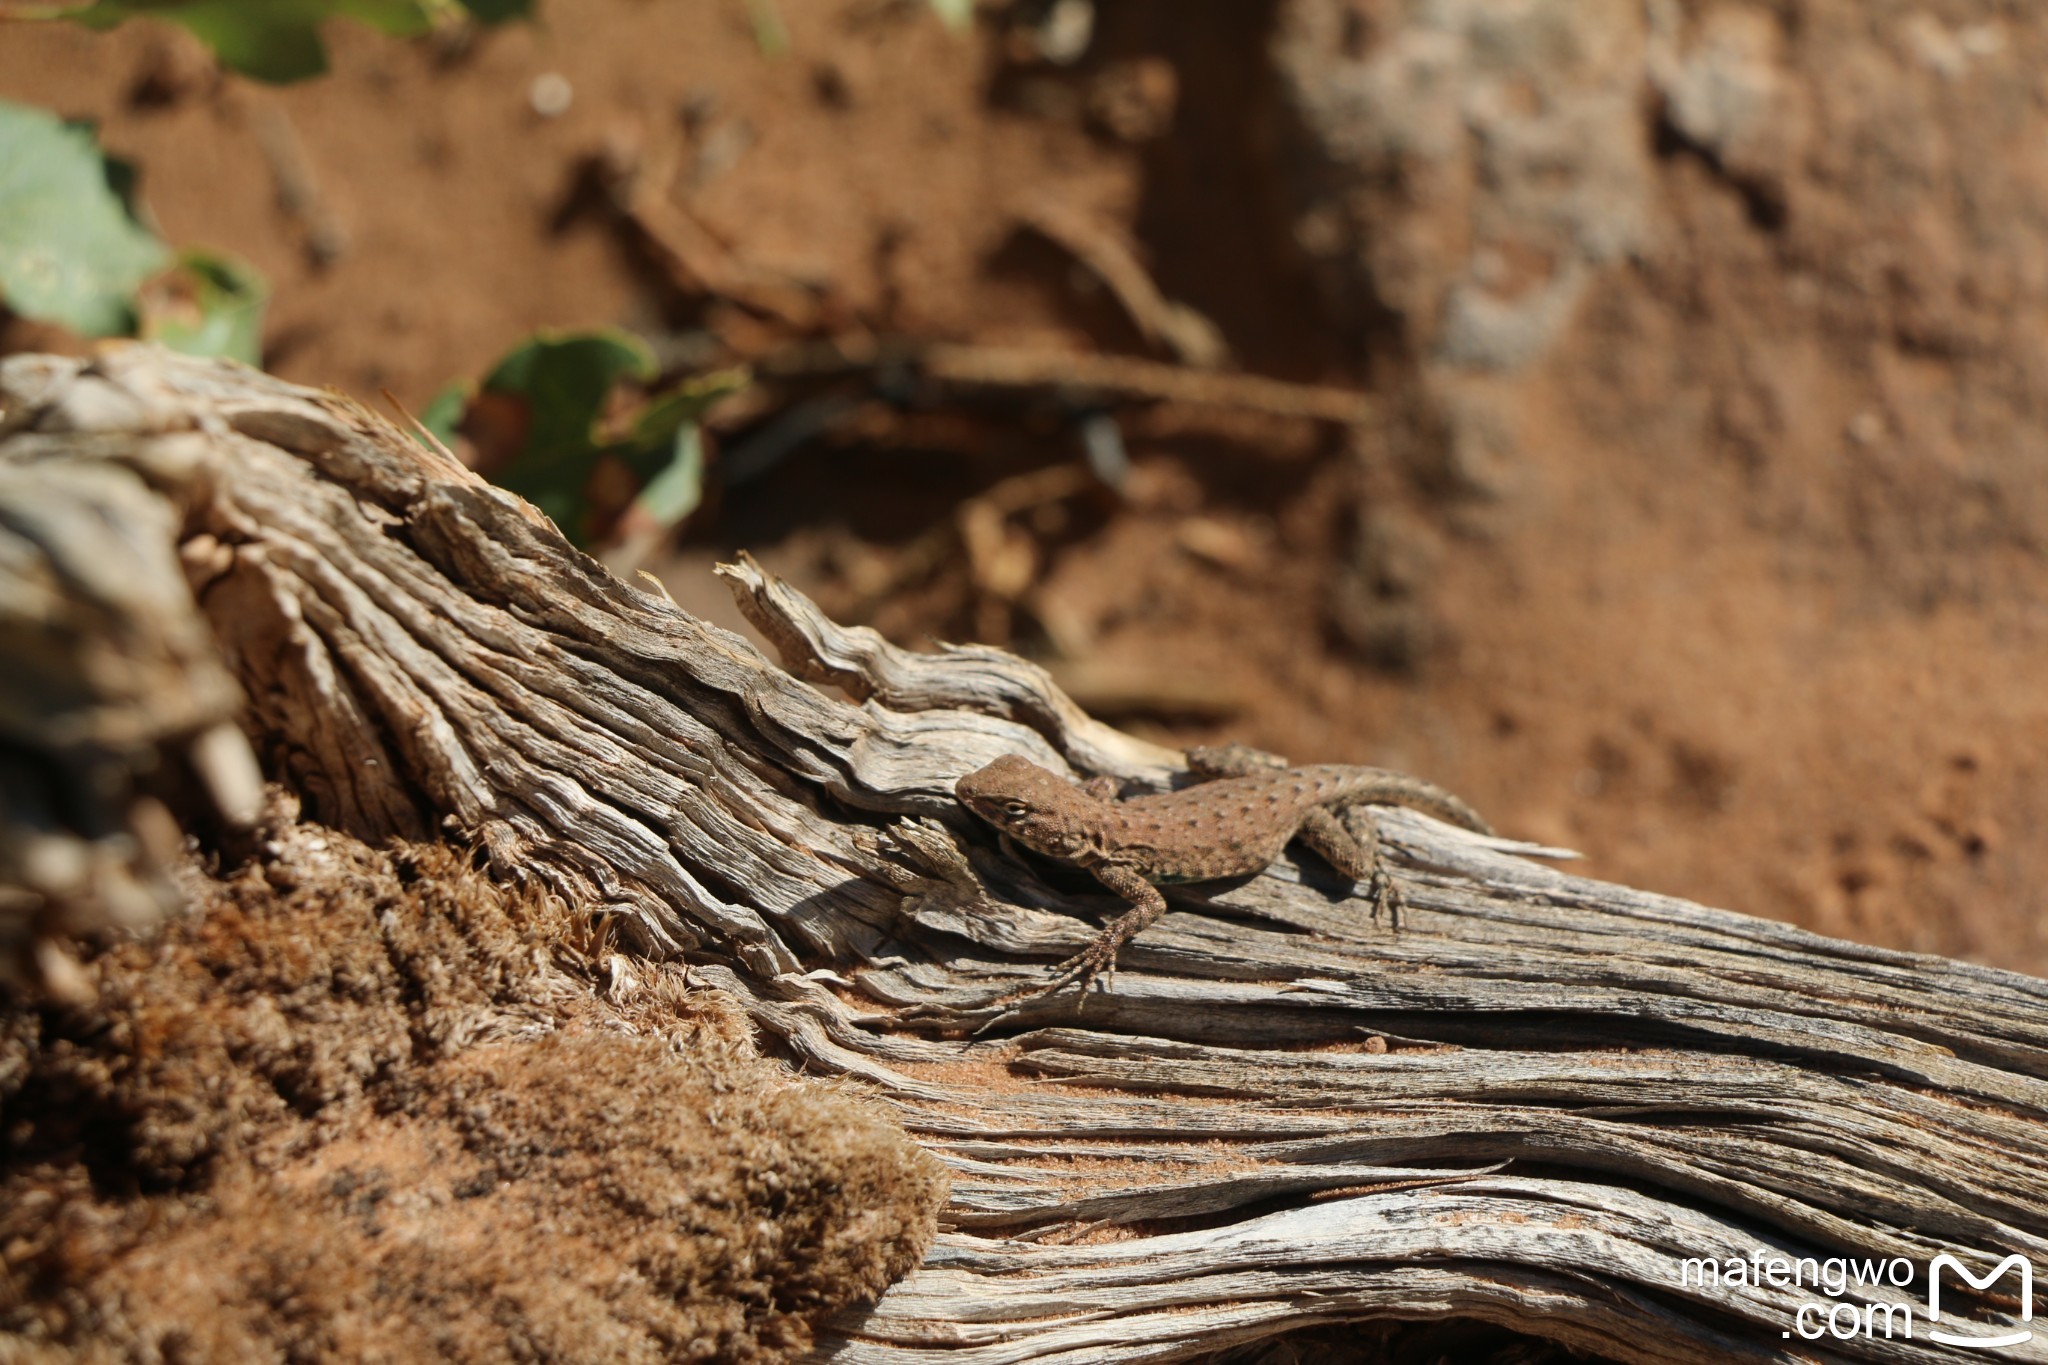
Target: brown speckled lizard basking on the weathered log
1232,826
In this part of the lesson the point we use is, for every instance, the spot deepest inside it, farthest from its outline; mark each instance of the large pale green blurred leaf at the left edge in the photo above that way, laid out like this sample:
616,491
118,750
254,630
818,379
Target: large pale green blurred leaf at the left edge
71,247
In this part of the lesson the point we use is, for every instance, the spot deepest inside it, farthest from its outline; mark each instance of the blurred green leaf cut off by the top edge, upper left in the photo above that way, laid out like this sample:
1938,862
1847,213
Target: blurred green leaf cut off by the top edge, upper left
269,40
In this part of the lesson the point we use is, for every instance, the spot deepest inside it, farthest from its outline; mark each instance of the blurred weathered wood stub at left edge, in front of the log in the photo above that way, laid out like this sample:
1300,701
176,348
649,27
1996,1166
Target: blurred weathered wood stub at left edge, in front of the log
110,680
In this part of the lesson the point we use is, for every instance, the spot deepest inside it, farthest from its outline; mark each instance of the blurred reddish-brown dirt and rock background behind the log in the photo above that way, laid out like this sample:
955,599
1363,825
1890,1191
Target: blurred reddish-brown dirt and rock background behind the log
1703,521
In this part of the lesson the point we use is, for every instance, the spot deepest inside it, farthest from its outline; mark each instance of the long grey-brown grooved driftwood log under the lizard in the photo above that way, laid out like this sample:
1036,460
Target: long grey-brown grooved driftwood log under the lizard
1531,1104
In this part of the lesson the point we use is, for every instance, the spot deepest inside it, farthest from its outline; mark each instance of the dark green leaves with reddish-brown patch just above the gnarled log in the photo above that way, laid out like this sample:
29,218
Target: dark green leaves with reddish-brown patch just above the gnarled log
550,423
